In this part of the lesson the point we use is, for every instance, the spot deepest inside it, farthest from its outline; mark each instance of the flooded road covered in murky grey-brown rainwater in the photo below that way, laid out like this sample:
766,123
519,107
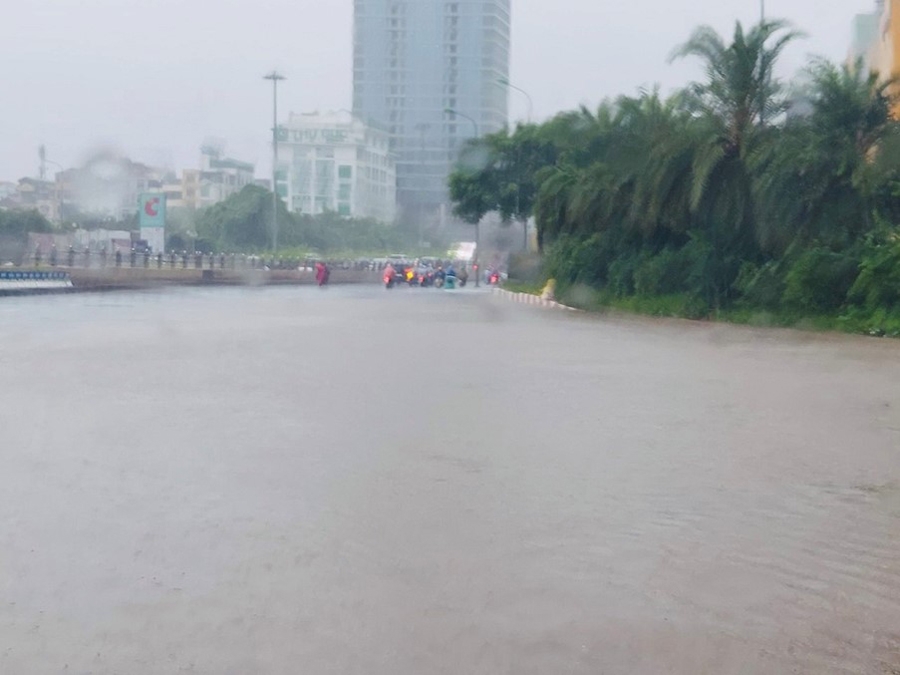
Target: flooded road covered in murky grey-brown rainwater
352,481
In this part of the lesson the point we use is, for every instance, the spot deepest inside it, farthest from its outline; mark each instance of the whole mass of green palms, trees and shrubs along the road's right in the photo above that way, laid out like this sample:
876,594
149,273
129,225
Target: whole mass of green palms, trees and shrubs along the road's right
737,197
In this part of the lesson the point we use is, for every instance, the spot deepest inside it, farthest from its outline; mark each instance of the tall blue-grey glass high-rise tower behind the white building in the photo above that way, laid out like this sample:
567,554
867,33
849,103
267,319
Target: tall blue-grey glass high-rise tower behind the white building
415,59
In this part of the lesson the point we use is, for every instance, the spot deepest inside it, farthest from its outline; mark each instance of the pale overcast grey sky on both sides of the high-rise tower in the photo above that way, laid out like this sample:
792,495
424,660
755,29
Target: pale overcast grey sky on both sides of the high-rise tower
154,78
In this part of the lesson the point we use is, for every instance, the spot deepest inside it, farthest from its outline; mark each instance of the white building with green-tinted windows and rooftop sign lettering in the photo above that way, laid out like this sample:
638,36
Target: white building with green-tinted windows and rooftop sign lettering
334,162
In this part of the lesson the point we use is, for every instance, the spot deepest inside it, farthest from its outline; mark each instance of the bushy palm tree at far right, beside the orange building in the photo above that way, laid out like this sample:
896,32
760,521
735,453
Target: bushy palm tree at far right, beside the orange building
825,175
